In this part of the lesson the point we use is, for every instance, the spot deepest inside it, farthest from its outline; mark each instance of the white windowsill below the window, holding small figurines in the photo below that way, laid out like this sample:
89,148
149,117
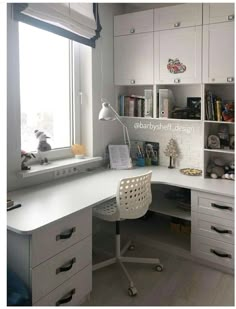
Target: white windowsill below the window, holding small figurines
56,165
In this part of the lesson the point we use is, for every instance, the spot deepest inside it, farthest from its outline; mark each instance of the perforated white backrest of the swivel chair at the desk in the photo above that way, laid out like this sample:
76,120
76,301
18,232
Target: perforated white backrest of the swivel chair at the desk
134,196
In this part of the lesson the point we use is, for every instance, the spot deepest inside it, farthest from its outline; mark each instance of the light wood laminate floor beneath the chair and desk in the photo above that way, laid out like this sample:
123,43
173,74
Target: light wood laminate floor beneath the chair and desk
182,282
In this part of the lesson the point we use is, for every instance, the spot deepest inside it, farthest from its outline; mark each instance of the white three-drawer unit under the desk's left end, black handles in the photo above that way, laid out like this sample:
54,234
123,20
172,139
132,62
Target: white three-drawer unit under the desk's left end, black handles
49,260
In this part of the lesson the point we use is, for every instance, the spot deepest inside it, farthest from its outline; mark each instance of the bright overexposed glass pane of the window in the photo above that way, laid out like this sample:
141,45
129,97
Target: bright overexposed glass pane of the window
44,87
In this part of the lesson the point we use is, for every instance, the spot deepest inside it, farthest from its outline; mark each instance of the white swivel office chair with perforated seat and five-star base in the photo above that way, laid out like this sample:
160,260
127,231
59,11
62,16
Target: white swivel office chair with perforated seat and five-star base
132,201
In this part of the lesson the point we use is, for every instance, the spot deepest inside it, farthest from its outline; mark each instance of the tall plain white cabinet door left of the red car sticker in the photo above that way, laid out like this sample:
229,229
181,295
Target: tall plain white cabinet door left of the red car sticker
134,59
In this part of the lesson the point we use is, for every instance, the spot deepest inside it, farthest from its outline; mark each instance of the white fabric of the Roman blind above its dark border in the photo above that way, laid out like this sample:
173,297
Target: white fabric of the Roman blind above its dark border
74,17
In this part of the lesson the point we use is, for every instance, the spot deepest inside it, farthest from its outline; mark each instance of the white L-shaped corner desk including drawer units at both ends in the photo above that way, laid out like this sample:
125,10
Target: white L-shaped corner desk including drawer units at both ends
64,208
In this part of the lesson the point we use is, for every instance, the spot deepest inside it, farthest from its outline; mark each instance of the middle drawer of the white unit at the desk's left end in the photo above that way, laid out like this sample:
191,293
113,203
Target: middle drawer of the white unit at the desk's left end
50,274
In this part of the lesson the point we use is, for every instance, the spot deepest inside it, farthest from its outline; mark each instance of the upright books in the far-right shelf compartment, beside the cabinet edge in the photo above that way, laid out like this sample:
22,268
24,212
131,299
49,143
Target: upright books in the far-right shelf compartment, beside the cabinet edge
213,107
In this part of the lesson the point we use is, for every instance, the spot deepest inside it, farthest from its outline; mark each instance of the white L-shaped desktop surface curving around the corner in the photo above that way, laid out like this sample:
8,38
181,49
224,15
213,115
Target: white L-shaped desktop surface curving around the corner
45,203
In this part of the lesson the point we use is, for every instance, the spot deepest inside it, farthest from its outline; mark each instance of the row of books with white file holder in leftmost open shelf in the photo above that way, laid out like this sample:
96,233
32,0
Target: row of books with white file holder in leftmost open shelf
136,106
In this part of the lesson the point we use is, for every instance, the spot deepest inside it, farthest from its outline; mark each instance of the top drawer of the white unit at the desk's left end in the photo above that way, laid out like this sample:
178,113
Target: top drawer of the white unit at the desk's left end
56,237
